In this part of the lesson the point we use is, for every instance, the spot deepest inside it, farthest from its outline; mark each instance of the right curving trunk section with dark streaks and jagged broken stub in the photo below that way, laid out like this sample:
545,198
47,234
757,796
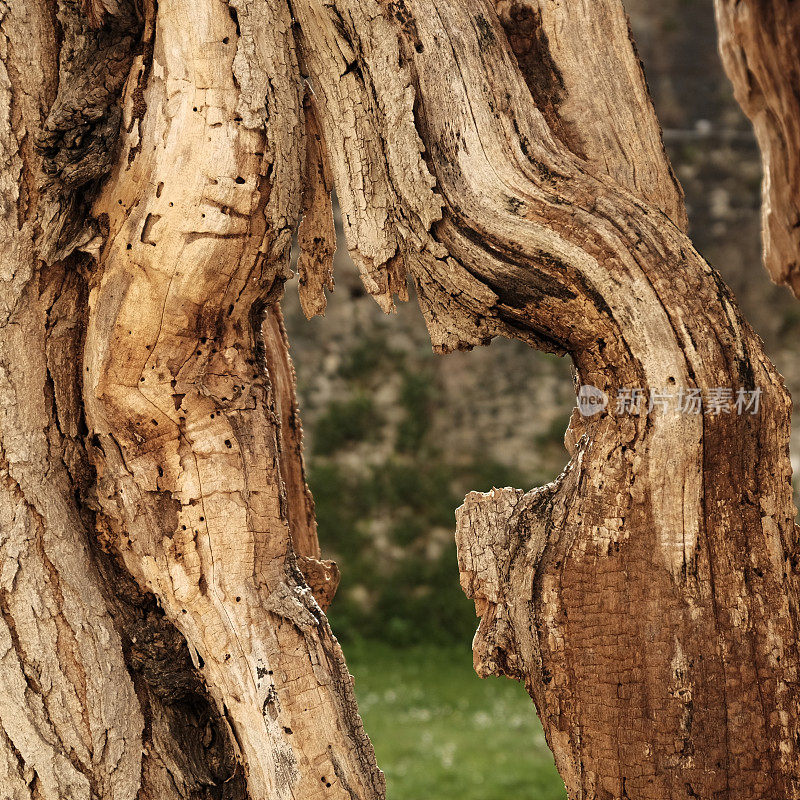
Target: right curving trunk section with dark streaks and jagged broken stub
648,598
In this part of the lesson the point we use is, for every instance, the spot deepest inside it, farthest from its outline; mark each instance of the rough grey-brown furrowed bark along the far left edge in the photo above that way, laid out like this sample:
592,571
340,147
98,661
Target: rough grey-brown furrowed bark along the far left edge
71,723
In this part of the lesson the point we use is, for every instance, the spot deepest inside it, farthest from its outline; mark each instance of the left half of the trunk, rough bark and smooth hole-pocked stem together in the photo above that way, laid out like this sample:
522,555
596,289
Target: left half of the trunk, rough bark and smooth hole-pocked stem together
209,513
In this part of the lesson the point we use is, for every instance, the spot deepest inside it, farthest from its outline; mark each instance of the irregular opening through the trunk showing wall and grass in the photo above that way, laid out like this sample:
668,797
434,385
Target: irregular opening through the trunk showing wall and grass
395,436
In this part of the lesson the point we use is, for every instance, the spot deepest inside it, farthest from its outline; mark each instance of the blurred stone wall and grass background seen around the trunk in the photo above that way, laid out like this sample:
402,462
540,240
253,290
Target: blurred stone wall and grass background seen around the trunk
396,436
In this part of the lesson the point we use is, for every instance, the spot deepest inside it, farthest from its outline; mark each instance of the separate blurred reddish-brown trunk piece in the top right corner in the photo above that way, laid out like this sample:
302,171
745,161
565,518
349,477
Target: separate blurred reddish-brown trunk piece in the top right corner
760,47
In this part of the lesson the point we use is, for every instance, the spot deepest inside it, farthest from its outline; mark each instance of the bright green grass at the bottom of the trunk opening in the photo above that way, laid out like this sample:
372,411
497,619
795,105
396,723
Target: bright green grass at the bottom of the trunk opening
441,733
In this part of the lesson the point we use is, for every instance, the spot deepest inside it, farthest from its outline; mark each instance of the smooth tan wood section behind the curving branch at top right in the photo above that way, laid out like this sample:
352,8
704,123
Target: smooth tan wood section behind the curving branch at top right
586,79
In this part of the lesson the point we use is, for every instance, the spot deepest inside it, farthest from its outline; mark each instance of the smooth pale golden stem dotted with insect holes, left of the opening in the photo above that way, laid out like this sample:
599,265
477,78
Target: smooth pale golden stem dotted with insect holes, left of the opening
196,436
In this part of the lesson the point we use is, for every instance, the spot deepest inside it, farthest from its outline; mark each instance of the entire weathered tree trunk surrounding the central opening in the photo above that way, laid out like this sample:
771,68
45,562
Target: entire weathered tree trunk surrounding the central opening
159,545
